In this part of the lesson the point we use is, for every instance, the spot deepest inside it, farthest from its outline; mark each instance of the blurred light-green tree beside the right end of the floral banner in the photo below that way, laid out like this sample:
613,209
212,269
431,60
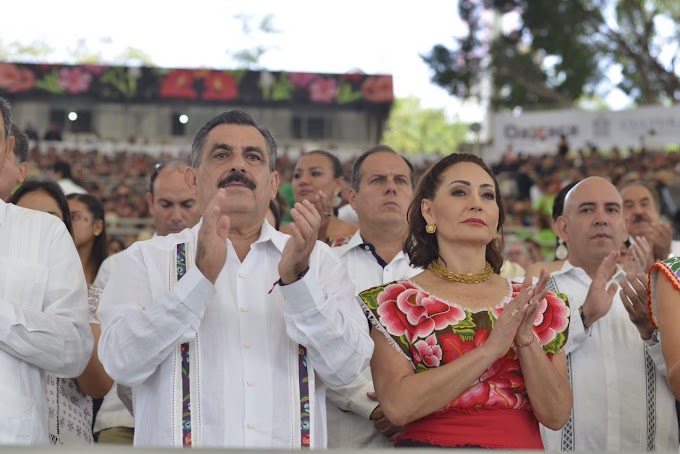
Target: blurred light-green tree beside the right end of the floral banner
414,129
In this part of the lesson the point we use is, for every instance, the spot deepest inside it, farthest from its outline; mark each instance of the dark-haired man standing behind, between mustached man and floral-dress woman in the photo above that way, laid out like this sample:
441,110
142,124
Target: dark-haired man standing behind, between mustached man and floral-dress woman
381,191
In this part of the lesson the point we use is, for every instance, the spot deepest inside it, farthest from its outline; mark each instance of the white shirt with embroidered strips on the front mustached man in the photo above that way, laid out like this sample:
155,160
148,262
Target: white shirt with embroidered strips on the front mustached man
243,327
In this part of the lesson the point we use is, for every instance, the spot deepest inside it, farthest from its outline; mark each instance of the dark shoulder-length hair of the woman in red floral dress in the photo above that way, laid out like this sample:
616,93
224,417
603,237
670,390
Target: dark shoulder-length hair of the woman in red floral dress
422,247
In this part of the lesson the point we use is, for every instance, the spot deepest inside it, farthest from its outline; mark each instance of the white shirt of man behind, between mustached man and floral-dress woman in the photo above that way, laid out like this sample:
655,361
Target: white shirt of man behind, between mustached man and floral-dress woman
349,409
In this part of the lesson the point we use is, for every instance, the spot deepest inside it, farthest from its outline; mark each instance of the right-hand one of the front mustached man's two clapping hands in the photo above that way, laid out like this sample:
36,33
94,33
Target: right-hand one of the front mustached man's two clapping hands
304,231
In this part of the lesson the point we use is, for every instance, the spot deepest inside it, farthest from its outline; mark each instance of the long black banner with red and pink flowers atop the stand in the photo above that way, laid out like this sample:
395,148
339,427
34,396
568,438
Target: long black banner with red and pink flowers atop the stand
117,83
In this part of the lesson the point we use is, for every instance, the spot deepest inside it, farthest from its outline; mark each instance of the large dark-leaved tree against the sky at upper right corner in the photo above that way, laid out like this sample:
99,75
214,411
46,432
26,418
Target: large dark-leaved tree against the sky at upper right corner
562,50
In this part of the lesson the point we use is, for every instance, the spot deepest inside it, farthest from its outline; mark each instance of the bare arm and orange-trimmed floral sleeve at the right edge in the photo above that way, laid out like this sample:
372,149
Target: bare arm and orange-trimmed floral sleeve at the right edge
664,307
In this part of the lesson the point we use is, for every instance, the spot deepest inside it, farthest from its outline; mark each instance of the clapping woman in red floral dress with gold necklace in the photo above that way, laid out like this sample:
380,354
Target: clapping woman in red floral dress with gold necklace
462,356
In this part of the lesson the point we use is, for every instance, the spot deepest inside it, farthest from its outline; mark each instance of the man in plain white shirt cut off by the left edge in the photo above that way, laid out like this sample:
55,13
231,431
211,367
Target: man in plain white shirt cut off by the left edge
43,311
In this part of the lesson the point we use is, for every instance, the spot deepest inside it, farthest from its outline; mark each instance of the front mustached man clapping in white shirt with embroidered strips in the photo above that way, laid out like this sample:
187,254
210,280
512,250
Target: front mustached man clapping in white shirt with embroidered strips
229,332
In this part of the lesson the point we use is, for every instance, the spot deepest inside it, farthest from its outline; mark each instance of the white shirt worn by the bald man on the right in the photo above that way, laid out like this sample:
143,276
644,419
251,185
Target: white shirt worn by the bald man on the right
622,401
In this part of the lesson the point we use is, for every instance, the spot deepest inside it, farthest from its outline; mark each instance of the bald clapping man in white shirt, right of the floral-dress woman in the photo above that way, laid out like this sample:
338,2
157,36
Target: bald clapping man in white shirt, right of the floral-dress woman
622,401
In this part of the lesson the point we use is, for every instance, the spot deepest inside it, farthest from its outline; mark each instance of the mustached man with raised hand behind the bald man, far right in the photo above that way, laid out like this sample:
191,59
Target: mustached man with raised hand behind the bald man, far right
642,205
